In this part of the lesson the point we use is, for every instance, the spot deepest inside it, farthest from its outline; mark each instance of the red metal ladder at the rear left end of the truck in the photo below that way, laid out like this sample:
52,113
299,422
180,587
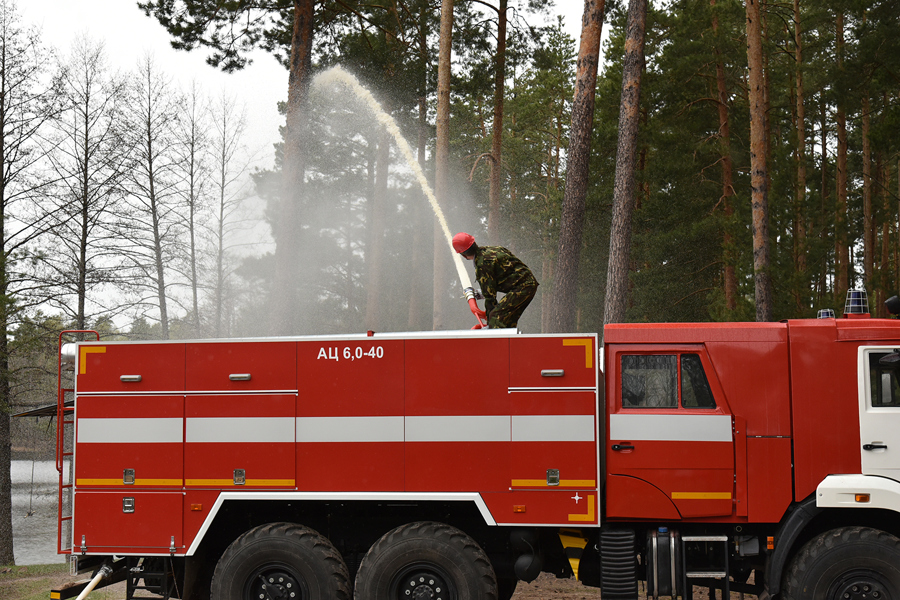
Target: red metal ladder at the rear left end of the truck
65,443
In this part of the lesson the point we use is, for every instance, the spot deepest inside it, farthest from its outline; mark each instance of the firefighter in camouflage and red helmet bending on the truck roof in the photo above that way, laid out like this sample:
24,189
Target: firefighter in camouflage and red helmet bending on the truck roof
498,270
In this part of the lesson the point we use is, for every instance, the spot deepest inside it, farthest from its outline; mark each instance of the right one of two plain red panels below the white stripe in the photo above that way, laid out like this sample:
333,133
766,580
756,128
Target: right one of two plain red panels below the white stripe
457,466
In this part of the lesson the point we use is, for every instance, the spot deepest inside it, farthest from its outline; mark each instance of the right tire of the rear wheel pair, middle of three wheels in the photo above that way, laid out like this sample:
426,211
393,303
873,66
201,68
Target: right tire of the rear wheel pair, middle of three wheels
425,560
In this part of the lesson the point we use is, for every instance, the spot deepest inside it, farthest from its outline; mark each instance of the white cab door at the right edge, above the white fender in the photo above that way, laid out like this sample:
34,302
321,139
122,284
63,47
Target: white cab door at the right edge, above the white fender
879,411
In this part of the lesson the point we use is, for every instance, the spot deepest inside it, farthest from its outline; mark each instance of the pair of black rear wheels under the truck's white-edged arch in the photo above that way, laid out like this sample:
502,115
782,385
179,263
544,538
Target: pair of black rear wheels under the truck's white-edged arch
285,561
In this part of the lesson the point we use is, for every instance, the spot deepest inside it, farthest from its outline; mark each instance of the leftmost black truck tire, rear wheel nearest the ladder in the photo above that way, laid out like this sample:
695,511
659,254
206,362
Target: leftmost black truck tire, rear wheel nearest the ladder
292,558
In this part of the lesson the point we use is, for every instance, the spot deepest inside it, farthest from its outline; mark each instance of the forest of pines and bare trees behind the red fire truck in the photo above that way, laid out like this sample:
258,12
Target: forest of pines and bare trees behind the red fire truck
123,198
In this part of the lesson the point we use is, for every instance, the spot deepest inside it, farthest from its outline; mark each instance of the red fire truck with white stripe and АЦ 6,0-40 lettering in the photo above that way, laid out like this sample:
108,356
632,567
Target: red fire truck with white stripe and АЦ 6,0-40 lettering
753,457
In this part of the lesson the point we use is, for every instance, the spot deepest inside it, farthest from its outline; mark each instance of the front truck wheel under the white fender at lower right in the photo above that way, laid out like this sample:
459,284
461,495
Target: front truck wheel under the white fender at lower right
850,563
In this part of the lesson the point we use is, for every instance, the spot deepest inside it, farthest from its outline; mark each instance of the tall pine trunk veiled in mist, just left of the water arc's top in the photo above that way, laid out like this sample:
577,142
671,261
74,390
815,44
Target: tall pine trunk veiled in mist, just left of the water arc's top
287,230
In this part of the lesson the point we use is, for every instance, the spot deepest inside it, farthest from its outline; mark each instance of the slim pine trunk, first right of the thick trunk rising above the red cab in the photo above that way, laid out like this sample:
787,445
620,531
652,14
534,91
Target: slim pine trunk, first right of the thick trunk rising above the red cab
802,285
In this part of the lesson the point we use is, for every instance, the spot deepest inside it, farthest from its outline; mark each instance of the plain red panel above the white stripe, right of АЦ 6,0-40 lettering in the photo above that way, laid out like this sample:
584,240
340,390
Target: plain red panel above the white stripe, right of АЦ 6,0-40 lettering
467,376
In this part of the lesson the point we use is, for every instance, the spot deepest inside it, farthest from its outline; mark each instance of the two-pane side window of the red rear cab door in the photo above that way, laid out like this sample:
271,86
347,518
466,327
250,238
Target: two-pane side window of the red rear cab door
652,381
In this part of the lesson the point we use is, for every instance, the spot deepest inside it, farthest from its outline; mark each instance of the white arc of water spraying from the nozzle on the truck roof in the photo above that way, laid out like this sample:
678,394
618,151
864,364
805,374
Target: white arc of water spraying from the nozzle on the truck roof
337,75
